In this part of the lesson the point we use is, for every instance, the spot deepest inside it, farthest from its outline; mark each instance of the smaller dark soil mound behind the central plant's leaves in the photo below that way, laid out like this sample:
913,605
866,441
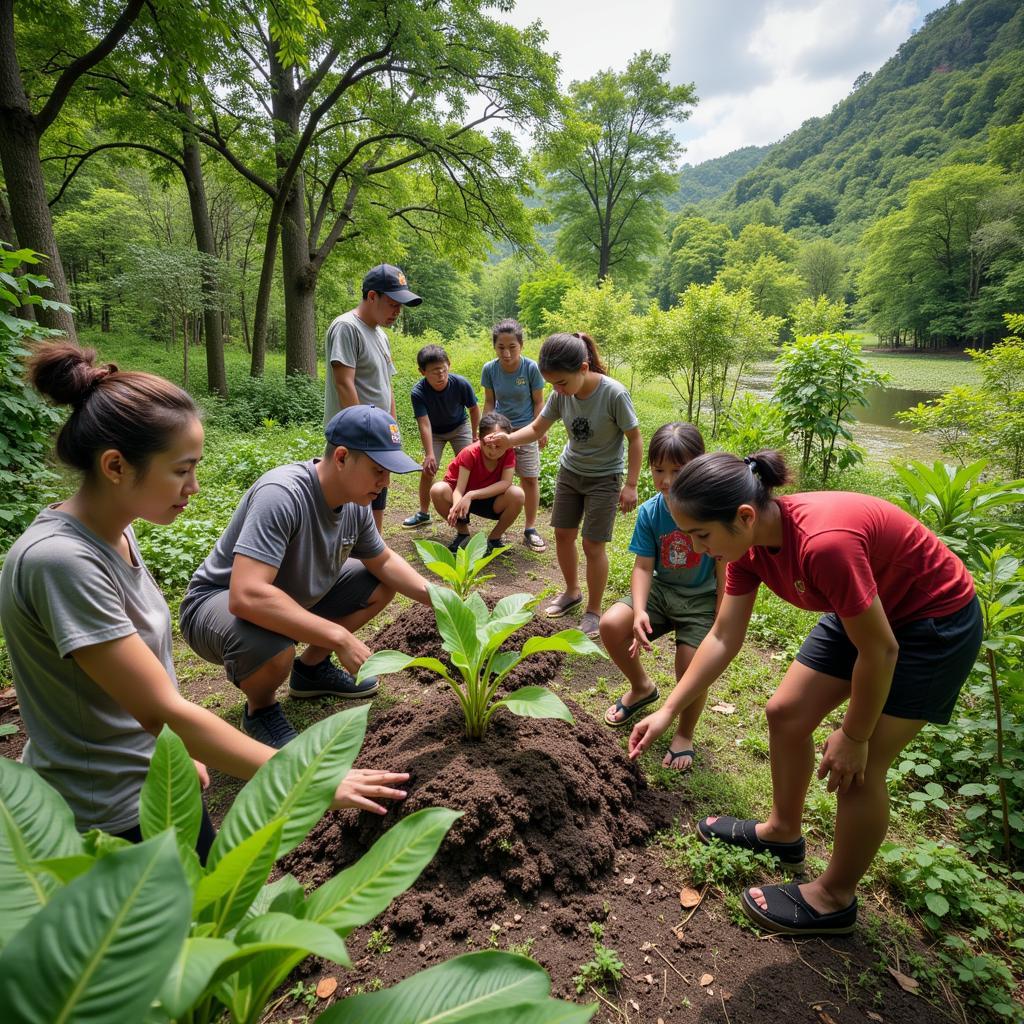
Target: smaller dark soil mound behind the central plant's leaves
415,632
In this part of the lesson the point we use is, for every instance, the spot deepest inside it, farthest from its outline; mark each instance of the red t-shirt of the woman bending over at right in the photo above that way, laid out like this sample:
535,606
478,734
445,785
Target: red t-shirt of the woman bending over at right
840,549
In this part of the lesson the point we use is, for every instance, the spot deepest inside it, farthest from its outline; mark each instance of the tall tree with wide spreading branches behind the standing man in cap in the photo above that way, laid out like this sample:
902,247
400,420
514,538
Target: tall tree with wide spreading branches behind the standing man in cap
376,116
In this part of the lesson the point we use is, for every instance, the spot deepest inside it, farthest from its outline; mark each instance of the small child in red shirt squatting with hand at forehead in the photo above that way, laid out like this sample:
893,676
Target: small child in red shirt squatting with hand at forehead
479,482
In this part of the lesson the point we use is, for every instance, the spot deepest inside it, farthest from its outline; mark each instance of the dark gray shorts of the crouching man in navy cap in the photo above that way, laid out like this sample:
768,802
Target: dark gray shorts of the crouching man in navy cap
241,647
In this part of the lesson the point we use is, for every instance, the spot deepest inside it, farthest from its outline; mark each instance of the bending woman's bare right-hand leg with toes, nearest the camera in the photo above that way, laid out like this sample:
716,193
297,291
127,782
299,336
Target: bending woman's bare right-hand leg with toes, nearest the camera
862,822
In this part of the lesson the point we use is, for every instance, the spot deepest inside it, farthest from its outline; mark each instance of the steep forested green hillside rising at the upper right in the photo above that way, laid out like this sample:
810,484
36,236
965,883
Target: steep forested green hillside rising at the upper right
930,105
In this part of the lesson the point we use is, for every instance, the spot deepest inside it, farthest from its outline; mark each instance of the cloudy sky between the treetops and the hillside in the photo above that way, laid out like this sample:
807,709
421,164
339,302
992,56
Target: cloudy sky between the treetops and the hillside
761,67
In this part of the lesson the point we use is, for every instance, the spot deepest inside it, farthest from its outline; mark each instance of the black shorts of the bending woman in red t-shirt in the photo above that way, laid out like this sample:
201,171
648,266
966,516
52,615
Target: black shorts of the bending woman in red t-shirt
936,656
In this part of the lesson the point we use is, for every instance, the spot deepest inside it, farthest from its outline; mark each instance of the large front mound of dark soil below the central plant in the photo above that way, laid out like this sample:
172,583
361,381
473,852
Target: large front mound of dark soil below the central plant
547,806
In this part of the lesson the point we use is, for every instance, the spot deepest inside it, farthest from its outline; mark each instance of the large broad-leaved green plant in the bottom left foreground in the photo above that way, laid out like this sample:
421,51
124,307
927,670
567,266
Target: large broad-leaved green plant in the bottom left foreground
94,928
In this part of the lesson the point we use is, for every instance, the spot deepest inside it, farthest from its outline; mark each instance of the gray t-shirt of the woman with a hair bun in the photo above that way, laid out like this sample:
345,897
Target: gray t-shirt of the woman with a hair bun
63,588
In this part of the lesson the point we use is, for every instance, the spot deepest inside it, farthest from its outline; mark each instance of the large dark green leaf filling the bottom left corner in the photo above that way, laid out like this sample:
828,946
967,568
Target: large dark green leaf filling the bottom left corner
101,950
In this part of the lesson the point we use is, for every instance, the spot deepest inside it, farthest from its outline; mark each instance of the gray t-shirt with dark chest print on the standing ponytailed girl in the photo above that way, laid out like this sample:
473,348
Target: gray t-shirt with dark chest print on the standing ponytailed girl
595,426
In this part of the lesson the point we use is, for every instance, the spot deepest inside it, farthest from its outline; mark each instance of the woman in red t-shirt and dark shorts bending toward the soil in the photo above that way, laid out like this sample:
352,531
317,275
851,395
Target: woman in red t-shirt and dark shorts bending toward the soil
902,632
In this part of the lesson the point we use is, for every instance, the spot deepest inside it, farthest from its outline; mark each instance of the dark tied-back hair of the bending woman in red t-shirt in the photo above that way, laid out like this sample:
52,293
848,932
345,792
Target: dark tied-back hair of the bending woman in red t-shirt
712,488
